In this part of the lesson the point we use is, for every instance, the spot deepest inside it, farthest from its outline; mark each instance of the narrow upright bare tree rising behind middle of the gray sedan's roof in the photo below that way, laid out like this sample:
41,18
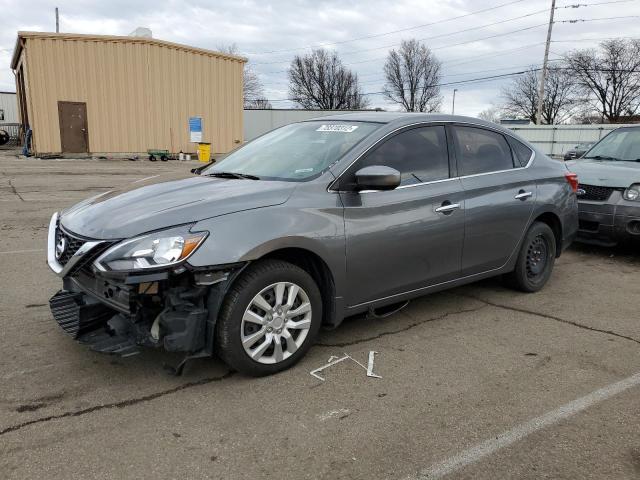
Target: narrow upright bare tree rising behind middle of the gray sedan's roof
412,75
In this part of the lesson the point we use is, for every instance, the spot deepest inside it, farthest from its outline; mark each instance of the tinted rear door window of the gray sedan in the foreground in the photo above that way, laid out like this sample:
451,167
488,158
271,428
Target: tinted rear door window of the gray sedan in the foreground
481,151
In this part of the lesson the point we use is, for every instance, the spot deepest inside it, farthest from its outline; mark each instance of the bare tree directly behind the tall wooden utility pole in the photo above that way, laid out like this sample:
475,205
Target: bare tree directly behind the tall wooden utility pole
560,96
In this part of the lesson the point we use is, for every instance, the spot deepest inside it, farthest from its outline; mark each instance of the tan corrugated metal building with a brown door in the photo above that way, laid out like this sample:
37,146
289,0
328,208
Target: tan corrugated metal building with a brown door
108,94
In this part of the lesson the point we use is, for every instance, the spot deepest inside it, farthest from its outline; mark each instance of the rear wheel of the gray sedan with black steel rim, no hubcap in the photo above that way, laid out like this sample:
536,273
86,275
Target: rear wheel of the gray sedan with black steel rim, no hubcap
535,260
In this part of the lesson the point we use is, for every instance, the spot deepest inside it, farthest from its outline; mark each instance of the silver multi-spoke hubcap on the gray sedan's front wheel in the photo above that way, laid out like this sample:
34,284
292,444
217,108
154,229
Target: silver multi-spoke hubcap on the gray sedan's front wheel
276,323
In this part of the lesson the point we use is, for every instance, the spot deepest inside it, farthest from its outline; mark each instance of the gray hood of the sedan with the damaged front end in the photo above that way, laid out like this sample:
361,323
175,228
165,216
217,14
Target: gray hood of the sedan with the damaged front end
166,200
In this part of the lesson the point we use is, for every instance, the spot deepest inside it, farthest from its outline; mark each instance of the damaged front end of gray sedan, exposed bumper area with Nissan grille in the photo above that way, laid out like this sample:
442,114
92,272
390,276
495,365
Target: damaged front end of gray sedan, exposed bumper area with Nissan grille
174,309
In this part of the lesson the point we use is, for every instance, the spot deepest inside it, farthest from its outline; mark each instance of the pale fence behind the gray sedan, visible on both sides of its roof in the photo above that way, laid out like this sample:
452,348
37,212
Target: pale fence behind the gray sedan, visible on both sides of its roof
551,139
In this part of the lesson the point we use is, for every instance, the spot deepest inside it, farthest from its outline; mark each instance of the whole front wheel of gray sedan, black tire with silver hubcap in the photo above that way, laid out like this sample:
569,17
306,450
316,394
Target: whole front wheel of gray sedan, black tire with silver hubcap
242,320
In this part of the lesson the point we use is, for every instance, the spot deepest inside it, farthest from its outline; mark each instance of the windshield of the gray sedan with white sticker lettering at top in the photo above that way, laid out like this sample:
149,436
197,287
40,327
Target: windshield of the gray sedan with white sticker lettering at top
295,152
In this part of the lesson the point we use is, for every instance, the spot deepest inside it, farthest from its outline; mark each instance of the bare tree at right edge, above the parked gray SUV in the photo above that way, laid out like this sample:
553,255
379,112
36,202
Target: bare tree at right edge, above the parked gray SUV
610,76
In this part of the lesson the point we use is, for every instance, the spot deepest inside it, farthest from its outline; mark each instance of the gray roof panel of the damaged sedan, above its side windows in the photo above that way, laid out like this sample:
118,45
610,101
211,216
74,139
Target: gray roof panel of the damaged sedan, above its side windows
406,118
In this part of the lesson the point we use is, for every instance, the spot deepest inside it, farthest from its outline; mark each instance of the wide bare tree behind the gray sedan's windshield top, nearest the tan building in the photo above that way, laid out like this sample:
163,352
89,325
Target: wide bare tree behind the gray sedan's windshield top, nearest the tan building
320,80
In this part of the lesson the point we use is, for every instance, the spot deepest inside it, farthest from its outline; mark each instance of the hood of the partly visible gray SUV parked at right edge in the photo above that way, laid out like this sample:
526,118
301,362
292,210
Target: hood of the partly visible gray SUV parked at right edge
605,173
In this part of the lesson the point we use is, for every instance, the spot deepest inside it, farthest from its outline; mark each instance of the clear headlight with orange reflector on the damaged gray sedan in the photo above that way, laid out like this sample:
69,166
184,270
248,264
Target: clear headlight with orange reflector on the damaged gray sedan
154,250
